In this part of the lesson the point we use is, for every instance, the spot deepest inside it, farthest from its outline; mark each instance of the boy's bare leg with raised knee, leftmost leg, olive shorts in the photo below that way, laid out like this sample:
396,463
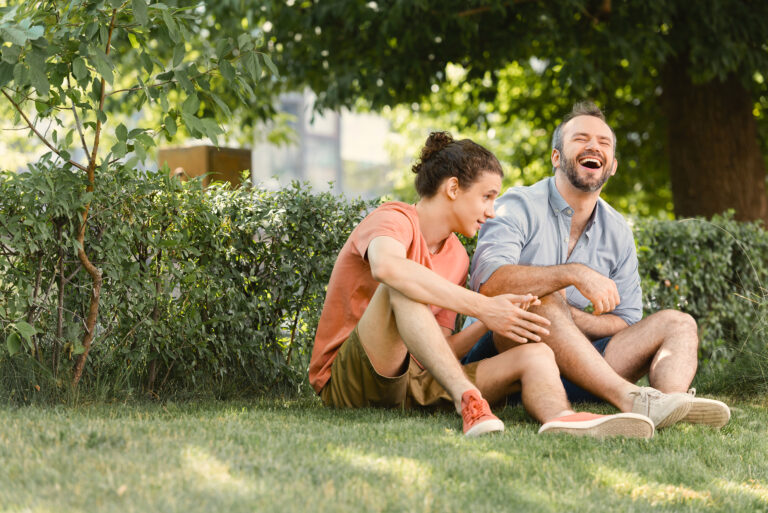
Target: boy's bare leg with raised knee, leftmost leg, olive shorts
393,325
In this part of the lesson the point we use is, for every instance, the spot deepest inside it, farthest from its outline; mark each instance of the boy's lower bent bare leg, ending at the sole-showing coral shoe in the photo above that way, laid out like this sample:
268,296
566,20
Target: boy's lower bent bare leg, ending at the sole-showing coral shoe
531,366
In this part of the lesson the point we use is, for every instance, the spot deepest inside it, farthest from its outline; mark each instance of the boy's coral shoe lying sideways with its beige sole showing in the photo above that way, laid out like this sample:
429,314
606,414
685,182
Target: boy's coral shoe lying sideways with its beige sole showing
601,426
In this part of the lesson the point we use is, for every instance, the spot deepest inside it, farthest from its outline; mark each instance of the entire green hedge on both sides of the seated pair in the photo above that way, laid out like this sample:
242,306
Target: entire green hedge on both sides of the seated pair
218,291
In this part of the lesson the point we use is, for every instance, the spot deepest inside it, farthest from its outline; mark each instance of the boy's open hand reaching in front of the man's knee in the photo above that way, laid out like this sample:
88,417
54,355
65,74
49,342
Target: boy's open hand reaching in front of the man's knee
507,315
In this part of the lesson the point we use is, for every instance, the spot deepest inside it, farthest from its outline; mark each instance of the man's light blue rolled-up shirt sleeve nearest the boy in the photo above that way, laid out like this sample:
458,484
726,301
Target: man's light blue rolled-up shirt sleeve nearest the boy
501,239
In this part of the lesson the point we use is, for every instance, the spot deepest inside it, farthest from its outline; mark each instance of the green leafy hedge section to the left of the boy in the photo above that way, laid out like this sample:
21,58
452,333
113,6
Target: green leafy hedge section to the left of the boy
216,290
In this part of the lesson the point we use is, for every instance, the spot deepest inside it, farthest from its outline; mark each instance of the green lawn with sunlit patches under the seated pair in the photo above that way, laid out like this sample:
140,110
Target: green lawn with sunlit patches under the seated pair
298,456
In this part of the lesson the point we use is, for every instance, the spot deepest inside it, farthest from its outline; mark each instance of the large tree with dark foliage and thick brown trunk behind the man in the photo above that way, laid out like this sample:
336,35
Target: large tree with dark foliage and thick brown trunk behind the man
683,81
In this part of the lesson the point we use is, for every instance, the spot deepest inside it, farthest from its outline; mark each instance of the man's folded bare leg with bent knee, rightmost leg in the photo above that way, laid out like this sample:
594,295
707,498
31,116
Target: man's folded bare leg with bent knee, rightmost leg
664,345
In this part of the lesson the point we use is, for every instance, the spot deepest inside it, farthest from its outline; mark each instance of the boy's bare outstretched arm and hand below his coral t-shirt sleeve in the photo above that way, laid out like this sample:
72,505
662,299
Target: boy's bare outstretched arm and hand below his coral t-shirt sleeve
502,313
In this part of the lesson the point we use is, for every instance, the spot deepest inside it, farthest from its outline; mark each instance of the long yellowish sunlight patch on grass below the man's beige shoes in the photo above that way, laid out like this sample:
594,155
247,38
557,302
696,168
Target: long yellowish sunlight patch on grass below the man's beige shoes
636,487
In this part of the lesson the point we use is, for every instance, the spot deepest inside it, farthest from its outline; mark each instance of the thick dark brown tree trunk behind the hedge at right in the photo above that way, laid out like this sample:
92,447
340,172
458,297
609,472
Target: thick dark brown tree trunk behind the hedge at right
714,155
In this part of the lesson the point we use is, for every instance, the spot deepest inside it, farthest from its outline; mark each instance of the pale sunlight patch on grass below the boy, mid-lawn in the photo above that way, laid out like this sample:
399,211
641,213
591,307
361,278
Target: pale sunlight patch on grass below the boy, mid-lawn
406,471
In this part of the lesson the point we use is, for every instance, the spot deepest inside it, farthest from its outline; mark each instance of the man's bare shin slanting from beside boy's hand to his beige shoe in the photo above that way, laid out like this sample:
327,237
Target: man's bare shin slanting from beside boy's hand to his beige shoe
577,359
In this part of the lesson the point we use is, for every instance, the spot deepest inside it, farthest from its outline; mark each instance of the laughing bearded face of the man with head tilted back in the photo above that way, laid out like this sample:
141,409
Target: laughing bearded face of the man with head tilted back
587,157
